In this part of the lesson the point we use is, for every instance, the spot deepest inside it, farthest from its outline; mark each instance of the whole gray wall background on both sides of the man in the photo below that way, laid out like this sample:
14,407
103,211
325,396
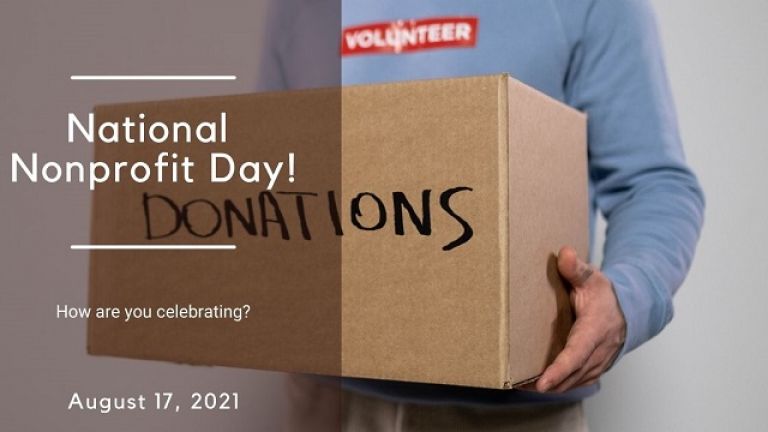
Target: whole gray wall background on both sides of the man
706,372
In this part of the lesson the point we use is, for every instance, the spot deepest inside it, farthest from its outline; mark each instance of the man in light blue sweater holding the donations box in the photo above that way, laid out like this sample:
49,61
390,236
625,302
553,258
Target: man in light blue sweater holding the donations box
602,57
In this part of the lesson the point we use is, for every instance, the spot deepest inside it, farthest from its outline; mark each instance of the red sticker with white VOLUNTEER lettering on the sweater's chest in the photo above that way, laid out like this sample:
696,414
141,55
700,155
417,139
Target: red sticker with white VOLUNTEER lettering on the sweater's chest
394,37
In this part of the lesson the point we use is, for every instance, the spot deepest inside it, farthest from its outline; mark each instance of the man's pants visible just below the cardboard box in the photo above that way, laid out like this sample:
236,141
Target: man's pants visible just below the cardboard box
329,409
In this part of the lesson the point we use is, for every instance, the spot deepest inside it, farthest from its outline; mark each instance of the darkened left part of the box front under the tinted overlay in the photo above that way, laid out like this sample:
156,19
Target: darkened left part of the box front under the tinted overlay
292,285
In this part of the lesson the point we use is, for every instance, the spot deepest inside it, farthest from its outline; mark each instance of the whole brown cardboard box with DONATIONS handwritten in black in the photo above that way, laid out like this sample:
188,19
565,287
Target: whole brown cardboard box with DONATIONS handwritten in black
438,208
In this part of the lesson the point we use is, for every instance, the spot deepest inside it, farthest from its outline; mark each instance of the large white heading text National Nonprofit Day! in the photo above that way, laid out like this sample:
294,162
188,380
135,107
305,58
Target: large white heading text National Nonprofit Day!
168,166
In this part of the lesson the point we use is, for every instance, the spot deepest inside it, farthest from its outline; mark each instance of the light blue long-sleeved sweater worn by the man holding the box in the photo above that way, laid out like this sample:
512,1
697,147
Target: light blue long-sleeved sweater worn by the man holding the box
602,57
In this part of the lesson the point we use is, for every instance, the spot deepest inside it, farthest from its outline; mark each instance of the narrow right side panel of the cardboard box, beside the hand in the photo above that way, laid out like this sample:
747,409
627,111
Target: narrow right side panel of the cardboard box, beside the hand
547,209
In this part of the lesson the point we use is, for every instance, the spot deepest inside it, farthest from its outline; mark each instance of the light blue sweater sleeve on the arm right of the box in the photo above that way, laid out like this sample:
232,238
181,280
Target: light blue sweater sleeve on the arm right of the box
650,198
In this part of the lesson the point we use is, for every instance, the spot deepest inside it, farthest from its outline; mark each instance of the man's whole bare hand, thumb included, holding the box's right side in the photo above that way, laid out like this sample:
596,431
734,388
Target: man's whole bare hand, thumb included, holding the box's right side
597,334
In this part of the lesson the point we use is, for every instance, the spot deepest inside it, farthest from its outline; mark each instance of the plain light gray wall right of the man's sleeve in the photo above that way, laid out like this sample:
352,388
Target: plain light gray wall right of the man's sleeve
707,370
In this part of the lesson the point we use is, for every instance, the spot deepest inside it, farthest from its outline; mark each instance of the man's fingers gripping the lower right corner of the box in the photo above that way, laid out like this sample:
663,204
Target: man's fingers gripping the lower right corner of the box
580,346
